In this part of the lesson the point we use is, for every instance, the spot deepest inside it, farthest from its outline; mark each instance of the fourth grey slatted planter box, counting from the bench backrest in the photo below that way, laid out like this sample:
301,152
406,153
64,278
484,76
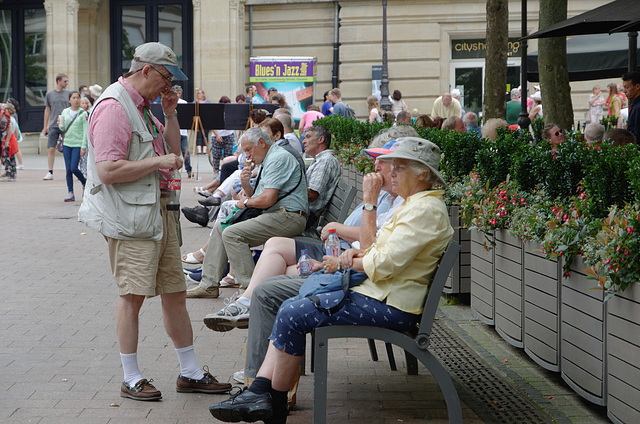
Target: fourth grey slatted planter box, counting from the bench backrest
541,307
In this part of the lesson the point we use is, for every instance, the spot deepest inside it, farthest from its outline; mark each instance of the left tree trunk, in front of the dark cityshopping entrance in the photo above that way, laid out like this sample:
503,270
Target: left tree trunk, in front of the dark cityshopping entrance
495,75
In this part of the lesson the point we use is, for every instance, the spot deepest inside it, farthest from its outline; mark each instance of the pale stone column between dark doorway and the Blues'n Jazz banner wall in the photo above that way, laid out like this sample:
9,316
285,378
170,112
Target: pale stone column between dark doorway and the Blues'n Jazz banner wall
218,44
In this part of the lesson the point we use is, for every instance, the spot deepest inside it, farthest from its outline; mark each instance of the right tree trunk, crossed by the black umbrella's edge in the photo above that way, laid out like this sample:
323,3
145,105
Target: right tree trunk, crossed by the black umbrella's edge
552,63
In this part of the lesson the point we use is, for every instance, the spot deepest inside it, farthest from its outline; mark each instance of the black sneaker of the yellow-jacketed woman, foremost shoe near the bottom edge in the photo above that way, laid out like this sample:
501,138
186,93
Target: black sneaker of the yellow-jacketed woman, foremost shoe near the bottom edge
243,406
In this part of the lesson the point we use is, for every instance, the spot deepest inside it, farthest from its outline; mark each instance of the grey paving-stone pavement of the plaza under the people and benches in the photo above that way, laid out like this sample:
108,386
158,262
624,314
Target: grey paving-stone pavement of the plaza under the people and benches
59,355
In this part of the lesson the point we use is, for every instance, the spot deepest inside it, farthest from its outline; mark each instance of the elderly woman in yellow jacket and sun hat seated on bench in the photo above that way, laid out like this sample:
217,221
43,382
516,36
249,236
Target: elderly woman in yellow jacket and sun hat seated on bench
399,266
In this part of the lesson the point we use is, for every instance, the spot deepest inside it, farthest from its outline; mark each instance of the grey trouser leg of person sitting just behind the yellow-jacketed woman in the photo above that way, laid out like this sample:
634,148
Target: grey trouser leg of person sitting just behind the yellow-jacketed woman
265,303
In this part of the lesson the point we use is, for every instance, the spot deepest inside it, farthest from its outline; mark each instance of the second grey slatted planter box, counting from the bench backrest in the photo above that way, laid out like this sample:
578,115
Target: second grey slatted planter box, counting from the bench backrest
482,277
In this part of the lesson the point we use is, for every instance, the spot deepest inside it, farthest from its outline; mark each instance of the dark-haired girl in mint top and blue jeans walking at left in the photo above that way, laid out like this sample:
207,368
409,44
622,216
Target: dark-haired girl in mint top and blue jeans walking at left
74,131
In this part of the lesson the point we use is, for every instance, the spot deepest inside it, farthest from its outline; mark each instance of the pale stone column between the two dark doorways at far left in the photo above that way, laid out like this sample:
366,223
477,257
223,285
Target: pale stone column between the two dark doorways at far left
62,40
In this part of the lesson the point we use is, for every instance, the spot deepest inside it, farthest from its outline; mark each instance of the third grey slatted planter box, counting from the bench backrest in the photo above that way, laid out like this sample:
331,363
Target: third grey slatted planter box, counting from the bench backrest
508,275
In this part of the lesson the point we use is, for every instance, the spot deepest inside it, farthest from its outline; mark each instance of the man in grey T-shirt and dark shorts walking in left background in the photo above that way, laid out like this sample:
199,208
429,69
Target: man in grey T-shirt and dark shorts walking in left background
56,101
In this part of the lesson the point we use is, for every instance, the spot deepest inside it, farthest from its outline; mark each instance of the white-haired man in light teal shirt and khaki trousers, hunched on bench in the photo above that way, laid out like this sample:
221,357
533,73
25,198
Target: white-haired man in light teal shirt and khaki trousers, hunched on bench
280,195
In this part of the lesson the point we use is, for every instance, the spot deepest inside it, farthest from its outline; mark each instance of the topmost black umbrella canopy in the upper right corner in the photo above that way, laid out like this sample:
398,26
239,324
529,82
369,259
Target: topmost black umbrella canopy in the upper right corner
599,20
